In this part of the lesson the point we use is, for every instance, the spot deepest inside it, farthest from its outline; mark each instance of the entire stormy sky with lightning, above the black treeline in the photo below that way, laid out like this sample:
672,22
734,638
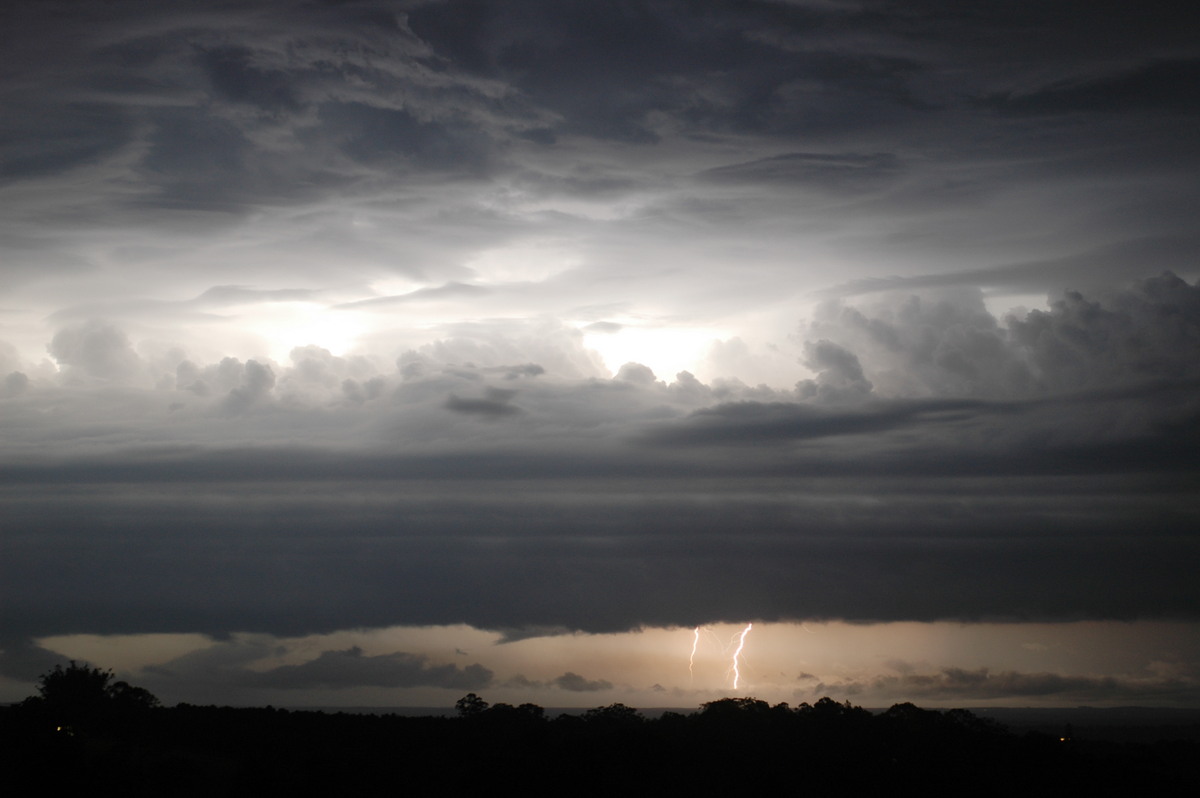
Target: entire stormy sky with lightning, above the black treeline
373,353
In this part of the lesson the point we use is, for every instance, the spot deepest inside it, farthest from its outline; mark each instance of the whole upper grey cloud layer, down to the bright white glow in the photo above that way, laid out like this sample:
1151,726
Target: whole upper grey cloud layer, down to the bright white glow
458,125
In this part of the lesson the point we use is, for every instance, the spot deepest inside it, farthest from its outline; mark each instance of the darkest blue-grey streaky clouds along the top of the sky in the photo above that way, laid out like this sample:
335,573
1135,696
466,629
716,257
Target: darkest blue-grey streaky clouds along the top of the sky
457,79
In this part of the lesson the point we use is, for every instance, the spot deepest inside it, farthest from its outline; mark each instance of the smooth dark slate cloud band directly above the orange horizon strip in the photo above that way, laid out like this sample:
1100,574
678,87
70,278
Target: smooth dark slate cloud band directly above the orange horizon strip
584,555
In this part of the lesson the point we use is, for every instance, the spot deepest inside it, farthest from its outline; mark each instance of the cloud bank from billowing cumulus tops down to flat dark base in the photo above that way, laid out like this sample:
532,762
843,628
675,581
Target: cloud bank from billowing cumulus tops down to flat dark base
1040,470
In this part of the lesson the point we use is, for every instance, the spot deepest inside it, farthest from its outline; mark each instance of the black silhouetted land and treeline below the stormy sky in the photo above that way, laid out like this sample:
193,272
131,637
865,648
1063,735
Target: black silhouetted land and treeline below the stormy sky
731,747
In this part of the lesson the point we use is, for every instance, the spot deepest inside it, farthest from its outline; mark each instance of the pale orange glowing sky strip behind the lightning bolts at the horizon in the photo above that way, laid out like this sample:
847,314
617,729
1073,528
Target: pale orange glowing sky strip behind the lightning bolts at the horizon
874,665
